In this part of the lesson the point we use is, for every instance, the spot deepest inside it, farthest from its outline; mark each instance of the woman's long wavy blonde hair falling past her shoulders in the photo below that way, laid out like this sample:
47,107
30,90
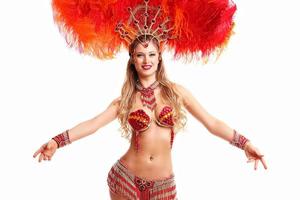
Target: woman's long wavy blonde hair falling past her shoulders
168,91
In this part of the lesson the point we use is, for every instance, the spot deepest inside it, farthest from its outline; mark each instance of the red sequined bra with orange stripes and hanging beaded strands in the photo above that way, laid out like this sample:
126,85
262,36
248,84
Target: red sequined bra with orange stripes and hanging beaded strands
140,121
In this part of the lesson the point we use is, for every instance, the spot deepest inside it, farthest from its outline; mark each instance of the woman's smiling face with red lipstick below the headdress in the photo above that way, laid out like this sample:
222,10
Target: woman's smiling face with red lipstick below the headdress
146,60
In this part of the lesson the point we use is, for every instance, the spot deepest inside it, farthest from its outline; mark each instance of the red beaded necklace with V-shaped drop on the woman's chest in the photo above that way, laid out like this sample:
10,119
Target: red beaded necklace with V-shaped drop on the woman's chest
147,94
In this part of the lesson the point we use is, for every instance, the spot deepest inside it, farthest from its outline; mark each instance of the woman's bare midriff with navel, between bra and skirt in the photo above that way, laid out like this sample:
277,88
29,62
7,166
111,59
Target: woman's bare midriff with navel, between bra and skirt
153,160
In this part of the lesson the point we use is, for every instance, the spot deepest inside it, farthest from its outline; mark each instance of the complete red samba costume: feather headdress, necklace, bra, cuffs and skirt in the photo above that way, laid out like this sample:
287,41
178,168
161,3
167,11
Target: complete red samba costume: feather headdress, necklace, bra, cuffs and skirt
191,28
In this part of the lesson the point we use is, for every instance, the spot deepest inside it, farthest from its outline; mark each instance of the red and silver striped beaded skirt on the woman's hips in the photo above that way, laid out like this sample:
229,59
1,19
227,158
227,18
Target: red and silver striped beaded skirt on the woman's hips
124,183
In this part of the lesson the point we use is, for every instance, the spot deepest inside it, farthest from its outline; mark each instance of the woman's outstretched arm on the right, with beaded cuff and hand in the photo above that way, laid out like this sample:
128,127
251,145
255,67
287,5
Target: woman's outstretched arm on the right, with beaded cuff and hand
219,128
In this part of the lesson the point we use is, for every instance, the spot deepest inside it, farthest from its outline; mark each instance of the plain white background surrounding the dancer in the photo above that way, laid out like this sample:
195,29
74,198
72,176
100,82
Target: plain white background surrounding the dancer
46,88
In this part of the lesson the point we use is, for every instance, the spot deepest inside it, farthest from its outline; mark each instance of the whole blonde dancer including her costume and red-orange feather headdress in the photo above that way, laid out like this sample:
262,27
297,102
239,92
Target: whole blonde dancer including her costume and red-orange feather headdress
151,109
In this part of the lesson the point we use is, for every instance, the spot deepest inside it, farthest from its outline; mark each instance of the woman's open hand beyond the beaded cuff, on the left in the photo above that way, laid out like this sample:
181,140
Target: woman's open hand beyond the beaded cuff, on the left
46,151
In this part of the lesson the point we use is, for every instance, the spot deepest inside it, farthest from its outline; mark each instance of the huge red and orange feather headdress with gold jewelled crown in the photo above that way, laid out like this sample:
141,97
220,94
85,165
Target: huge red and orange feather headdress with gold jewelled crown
189,27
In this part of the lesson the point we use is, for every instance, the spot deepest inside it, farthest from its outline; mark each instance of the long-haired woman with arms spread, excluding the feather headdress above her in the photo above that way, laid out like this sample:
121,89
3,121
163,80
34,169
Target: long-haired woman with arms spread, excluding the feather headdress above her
151,110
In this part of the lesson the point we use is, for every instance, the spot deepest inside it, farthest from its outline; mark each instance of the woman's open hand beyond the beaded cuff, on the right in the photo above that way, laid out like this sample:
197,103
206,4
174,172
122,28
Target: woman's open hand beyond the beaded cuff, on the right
254,155
